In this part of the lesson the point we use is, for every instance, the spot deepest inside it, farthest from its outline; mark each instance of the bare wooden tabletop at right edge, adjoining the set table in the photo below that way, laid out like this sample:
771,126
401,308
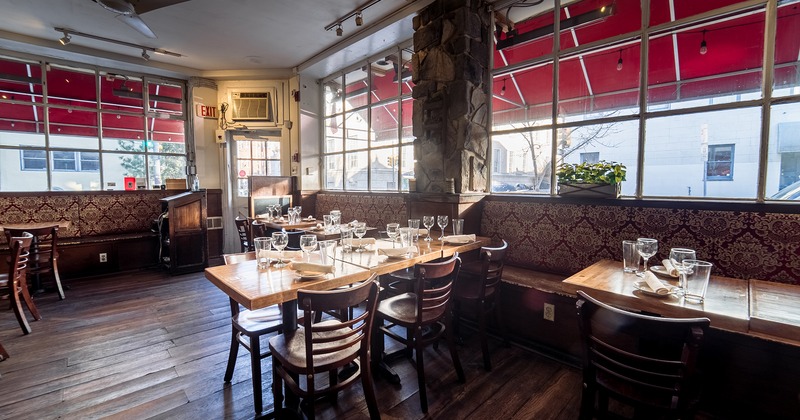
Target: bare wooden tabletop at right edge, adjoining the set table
775,310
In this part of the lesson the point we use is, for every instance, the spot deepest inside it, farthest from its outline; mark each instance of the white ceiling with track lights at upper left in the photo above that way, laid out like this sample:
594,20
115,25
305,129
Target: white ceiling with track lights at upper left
218,39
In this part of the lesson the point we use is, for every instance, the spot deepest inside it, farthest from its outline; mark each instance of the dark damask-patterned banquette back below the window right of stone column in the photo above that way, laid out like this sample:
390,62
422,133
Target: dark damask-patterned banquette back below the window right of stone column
564,238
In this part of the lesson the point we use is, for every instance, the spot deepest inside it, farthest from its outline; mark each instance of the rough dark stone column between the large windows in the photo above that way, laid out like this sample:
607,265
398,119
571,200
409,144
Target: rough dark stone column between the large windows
451,95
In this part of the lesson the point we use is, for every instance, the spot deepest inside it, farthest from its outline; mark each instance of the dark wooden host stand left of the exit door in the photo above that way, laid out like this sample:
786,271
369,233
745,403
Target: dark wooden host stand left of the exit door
183,233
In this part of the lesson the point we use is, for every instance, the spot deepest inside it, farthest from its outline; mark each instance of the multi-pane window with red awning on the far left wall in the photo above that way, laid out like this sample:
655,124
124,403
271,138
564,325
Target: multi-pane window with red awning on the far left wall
88,117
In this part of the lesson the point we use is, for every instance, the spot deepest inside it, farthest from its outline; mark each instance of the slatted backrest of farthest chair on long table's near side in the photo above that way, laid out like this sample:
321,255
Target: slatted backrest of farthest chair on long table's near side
434,285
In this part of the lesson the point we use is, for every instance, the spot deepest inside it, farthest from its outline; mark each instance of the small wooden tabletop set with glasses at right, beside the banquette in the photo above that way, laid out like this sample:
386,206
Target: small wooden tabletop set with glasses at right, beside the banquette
726,303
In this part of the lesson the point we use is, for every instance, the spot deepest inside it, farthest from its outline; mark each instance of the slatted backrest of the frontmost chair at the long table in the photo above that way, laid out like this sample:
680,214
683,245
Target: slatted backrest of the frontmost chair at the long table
342,341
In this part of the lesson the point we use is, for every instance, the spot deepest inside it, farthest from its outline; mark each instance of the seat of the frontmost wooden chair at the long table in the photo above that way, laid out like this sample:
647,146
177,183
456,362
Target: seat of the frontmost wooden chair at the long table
290,349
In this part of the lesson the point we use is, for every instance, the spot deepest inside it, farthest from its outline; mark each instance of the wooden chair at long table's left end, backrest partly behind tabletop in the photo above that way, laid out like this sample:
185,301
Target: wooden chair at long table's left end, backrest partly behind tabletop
253,325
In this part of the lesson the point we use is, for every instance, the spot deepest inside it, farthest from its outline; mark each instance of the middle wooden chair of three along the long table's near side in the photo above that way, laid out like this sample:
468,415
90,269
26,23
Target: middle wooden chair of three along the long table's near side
426,316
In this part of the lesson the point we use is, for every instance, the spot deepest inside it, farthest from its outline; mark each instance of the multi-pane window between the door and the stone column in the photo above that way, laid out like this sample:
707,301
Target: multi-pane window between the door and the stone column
368,139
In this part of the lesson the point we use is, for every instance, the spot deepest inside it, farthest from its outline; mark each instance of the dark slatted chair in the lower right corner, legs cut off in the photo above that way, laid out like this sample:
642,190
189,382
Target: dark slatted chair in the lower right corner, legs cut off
646,362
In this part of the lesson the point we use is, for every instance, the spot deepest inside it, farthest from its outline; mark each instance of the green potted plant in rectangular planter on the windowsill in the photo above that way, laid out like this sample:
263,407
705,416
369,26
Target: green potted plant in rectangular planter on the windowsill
599,180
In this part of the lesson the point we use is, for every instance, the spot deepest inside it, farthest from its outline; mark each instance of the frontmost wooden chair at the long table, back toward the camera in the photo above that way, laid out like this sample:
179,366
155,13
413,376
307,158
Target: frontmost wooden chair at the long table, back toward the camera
325,347
